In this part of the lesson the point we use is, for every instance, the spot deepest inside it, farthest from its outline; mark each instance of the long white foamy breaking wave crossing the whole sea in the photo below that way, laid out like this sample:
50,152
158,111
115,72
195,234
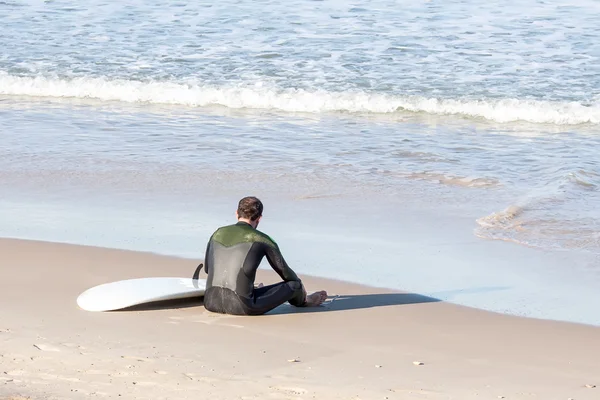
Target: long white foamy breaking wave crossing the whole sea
260,96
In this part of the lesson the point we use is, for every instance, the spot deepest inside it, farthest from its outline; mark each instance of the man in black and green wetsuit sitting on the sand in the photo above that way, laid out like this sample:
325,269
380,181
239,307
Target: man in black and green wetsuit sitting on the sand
233,255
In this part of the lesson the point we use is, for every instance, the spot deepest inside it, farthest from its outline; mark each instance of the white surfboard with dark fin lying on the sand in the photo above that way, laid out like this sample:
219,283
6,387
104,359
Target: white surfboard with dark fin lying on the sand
131,292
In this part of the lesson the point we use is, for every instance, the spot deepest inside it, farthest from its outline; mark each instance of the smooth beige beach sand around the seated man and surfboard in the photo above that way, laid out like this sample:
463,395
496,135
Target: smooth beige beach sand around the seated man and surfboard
362,344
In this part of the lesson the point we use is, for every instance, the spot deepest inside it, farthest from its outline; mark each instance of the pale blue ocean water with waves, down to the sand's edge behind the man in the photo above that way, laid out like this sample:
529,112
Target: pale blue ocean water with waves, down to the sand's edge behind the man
450,148
